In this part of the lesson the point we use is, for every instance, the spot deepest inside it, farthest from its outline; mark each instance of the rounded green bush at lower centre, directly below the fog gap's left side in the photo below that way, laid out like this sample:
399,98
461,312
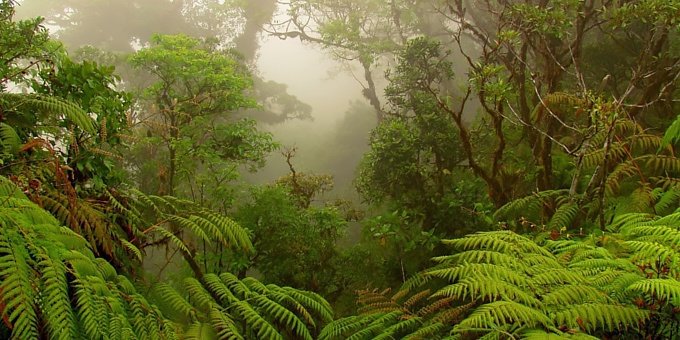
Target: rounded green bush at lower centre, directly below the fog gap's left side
294,245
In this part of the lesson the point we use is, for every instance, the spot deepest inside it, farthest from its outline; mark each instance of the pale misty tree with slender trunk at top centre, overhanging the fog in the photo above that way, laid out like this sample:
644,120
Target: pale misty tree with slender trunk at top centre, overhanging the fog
363,31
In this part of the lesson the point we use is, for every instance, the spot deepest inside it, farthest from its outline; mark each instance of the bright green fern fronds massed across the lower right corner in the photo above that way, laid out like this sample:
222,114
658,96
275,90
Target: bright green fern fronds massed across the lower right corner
504,284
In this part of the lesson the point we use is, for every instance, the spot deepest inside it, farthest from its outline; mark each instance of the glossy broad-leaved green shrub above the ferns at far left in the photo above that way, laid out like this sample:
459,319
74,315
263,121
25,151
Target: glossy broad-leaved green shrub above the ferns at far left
93,88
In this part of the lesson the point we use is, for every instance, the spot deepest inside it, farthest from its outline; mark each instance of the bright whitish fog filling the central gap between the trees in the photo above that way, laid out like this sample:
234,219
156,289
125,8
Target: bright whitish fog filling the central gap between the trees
331,91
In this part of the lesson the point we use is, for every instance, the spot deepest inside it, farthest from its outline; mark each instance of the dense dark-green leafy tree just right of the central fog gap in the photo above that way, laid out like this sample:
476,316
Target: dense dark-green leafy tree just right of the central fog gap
415,158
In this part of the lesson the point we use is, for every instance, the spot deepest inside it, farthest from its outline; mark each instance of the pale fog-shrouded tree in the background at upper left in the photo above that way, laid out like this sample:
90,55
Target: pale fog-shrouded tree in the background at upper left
96,25
